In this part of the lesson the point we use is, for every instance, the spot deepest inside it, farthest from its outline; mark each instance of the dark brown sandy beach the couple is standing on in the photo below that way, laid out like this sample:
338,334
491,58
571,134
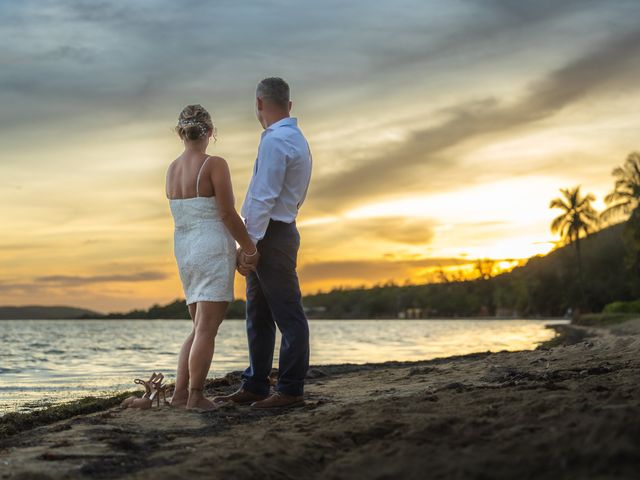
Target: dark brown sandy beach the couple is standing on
571,410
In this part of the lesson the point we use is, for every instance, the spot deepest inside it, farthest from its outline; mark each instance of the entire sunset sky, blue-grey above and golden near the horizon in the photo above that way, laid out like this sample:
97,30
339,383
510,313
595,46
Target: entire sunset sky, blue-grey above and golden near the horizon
440,131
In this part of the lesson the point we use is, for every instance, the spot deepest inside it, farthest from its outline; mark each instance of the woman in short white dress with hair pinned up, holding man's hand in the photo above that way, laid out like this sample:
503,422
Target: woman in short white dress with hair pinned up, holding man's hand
207,228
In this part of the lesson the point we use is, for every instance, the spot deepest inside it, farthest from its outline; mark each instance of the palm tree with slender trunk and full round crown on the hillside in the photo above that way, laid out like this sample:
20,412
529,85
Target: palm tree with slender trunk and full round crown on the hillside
578,218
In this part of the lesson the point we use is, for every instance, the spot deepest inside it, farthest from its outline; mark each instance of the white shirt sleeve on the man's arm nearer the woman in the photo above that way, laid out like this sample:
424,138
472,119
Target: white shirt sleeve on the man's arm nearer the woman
266,186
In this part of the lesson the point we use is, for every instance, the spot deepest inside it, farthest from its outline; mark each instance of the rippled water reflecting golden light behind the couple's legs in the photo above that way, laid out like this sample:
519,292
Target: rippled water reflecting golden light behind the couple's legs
47,361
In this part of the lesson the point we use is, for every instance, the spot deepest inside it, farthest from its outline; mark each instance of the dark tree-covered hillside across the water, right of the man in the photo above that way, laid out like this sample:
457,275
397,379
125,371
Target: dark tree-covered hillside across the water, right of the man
545,286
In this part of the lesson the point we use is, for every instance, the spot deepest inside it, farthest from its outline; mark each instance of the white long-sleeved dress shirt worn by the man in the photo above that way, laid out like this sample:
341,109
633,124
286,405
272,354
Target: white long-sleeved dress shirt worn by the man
280,178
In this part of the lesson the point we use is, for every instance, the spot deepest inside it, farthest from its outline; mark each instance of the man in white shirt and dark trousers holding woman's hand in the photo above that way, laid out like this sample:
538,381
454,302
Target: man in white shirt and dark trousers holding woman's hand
278,188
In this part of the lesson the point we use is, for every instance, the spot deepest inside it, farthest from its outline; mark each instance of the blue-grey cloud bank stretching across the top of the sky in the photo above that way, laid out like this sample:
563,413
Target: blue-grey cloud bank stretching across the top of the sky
80,57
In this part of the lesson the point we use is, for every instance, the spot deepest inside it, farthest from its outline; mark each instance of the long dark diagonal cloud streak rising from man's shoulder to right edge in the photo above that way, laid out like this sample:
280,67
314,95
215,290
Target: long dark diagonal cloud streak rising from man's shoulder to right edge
418,161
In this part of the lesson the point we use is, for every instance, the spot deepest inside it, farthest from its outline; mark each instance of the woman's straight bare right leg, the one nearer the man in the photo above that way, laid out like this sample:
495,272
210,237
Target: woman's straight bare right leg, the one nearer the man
209,316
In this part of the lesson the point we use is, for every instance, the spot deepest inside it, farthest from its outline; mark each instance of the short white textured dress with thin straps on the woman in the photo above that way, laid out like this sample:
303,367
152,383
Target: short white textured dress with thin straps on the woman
204,249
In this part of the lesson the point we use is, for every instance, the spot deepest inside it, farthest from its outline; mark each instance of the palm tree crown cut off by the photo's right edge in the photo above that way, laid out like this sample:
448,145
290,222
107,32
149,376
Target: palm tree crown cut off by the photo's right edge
626,195
